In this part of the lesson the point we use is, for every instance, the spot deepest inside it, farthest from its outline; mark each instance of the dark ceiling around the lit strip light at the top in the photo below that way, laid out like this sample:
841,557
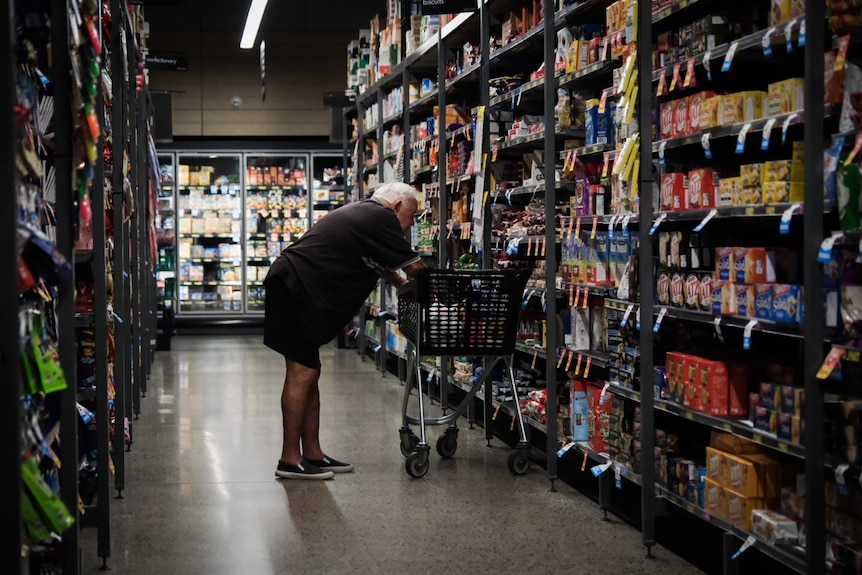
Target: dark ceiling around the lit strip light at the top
281,16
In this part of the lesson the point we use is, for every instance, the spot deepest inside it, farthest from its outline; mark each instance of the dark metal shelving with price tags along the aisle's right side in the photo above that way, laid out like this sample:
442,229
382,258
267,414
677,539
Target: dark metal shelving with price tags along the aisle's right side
765,136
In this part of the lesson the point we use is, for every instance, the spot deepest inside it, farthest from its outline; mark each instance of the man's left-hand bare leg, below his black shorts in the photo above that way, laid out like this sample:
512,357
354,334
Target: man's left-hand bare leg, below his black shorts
299,381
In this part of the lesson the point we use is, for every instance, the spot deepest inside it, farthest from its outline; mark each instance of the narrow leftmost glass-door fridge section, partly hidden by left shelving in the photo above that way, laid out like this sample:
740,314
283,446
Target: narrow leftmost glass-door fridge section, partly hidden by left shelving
165,225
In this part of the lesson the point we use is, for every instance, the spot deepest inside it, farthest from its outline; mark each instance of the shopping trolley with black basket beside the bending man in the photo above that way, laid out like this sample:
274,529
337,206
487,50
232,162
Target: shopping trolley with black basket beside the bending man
459,313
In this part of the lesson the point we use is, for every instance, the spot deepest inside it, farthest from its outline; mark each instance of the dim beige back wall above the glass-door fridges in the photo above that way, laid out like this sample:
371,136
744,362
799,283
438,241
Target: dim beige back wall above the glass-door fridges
300,68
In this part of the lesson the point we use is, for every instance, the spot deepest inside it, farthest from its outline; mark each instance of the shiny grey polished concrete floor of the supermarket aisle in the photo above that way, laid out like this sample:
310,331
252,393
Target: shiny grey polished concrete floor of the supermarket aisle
201,497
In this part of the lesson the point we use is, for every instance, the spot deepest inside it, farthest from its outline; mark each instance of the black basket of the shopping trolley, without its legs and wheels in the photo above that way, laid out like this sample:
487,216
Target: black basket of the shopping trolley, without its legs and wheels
463,312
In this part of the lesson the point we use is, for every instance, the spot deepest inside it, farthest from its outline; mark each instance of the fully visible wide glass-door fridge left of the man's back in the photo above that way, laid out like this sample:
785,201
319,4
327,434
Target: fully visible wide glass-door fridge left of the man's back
209,232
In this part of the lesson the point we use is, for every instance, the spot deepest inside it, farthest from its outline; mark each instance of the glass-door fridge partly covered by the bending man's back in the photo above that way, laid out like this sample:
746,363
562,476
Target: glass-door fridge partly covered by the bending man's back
277,214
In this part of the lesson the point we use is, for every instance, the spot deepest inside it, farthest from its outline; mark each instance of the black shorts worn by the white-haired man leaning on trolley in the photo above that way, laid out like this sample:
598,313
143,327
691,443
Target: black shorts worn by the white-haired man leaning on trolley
283,330
